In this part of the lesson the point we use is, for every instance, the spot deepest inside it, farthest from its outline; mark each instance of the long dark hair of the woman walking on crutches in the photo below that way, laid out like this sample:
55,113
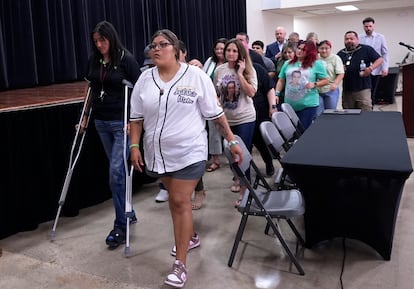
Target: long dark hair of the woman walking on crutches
116,48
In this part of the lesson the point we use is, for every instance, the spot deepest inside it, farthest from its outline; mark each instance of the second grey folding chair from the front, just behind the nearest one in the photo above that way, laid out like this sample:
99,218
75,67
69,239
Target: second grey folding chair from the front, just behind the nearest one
274,143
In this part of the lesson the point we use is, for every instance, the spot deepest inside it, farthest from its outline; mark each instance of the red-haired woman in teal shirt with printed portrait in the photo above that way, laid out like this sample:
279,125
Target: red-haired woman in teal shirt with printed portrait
300,78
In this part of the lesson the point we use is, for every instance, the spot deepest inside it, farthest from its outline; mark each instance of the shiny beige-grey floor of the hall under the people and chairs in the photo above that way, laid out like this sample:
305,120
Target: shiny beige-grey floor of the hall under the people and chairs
78,258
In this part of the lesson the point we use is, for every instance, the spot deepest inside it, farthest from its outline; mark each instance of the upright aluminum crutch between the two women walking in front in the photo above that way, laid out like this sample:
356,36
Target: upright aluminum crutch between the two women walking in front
128,173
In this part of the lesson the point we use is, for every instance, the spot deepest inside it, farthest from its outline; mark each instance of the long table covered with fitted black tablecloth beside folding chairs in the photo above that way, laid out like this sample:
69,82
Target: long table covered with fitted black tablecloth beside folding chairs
351,169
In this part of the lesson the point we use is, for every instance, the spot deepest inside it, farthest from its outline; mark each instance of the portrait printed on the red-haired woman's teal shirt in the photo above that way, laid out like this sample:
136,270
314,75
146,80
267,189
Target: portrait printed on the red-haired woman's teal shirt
296,80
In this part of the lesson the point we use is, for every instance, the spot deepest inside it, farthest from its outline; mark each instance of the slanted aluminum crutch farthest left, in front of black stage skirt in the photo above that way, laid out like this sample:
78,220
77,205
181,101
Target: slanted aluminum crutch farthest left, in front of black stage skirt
74,156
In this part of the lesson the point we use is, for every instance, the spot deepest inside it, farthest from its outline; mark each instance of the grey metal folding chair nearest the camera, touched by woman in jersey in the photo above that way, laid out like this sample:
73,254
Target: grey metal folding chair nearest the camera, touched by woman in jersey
269,204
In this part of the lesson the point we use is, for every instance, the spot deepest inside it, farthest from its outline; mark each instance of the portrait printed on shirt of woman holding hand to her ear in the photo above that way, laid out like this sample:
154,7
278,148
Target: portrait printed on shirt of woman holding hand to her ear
229,92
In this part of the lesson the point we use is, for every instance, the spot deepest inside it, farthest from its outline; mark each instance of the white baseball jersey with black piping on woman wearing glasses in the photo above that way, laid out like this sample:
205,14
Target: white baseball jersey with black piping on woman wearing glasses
174,115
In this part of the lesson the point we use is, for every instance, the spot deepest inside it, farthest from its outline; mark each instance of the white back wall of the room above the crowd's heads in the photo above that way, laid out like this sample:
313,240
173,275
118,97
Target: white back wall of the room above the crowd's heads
396,25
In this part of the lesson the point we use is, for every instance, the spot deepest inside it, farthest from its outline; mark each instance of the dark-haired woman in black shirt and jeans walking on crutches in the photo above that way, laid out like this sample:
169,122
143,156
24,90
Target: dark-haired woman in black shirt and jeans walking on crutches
109,64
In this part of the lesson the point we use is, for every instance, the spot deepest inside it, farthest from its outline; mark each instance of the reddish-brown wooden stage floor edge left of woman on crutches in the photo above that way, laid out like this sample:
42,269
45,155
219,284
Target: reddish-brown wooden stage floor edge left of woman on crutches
42,96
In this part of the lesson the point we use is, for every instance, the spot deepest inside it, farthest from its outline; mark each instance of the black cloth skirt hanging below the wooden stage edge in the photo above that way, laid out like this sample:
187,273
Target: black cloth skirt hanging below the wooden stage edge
35,149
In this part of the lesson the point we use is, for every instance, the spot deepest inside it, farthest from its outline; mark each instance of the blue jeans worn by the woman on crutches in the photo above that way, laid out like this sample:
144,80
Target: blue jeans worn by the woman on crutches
112,137
